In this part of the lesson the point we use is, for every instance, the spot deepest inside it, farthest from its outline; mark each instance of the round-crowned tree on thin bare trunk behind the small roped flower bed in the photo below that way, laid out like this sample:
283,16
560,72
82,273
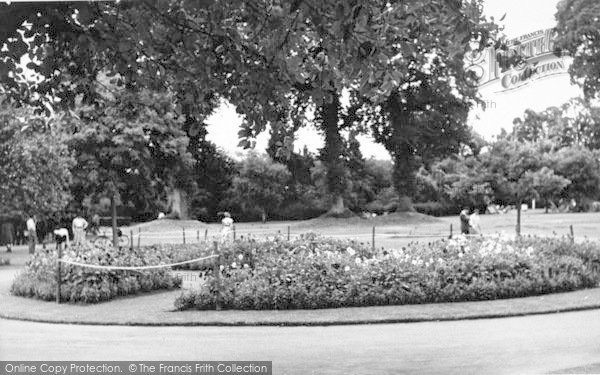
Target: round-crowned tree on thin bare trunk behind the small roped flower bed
129,152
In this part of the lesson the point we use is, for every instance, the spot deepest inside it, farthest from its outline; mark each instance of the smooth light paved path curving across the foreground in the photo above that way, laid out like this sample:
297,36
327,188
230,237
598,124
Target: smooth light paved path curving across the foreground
568,342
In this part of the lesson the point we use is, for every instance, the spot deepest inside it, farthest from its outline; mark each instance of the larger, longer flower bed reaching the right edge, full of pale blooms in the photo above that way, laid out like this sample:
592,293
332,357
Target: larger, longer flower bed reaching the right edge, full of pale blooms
316,275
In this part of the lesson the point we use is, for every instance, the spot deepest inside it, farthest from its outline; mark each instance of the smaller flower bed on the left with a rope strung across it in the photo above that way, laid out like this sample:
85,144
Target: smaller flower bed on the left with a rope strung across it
88,285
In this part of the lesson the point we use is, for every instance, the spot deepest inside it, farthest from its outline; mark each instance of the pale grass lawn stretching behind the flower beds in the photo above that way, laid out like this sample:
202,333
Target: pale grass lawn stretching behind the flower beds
389,230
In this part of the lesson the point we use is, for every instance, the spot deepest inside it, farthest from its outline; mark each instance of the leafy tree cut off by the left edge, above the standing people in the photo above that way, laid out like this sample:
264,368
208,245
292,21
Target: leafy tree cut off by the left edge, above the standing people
34,165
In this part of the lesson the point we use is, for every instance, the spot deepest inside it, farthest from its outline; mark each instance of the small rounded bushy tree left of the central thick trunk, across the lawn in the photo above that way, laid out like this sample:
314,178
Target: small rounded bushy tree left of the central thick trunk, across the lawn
260,185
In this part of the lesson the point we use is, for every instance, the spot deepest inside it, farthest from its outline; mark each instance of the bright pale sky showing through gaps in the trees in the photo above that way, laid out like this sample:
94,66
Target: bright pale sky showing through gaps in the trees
522,17
